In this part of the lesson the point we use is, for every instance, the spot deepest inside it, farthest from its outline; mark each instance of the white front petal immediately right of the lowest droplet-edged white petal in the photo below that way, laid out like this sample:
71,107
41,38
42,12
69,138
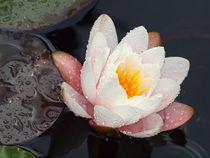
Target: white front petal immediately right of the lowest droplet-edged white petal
129,114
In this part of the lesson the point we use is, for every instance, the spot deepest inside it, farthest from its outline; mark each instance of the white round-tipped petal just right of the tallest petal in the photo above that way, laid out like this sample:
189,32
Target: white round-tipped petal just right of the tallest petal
137,39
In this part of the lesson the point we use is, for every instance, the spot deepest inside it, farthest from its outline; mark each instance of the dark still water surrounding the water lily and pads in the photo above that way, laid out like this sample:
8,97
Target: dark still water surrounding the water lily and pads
185,30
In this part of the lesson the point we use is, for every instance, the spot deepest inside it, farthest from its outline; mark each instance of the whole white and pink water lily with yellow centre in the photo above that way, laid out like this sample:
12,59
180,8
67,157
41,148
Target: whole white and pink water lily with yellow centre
128,86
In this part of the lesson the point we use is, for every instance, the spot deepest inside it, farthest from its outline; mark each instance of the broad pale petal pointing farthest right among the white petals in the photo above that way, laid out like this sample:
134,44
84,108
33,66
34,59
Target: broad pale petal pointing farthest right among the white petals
175,68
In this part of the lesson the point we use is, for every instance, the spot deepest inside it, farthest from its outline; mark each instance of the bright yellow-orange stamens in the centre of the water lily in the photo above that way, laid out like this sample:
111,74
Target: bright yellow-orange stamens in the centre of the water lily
130,81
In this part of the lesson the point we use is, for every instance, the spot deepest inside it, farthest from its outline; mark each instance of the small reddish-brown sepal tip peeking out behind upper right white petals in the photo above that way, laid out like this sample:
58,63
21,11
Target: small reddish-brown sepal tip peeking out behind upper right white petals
154,40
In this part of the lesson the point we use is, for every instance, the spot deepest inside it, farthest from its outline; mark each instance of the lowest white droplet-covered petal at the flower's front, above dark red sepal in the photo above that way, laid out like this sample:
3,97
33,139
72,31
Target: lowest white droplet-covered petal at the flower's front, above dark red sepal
105,117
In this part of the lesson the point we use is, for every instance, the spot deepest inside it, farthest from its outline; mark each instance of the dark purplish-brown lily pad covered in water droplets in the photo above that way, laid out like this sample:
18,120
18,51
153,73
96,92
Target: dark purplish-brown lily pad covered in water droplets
30,100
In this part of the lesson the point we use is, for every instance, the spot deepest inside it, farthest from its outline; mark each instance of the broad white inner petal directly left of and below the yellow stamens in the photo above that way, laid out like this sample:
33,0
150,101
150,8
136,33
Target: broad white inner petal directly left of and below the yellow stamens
109,92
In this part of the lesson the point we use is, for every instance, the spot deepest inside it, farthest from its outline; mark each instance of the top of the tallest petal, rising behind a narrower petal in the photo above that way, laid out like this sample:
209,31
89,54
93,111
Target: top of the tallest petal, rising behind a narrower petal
105,25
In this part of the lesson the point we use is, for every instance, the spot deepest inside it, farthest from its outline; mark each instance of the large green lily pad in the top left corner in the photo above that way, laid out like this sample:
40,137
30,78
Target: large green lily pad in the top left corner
33,14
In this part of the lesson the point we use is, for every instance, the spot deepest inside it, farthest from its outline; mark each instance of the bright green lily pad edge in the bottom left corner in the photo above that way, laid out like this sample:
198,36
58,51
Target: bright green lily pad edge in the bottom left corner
12,151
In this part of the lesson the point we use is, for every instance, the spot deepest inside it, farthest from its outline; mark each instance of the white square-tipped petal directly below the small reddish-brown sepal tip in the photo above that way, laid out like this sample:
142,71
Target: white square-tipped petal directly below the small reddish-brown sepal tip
154,55
